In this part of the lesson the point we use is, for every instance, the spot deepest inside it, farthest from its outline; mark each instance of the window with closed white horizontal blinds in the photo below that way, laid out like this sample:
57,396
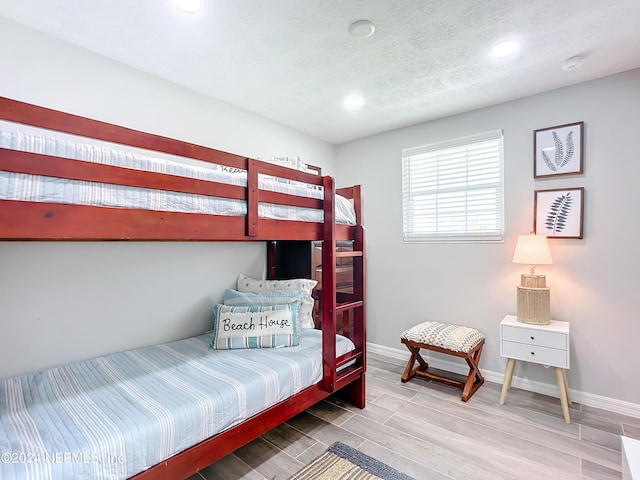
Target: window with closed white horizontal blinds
452,191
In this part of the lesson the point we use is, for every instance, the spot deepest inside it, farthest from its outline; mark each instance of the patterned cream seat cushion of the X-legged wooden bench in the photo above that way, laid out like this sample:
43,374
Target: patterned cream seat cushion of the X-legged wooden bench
450,337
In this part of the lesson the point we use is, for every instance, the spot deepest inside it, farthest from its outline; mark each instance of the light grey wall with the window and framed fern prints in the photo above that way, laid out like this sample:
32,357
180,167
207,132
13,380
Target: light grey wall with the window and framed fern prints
593,281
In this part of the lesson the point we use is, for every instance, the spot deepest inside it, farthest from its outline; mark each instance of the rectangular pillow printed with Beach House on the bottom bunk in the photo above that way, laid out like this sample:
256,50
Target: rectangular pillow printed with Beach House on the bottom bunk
259,326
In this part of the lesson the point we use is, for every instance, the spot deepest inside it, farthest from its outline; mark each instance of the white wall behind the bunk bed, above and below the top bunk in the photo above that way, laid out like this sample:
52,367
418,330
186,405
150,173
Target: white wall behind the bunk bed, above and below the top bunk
61,301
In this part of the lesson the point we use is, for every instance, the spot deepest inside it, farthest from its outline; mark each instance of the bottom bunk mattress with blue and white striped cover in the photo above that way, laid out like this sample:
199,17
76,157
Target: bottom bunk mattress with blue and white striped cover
114,416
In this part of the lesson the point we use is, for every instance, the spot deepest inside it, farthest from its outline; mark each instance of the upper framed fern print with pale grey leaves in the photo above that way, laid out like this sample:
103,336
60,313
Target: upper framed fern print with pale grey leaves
558,150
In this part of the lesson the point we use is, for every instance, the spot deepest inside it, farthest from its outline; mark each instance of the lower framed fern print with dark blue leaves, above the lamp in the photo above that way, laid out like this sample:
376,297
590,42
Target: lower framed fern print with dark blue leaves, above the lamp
559,213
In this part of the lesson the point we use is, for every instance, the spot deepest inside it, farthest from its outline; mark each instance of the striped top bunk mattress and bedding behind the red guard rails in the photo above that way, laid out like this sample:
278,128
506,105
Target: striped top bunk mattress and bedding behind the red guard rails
39,188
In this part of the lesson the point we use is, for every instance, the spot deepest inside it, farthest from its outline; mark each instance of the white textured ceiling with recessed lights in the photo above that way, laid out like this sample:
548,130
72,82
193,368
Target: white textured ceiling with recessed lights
293,61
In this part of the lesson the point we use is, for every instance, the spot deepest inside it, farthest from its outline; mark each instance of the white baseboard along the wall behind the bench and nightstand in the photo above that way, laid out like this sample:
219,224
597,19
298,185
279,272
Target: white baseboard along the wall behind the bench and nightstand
551,389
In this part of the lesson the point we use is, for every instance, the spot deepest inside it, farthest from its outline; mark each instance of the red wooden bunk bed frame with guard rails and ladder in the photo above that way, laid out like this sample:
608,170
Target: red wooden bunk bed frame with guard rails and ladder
27,220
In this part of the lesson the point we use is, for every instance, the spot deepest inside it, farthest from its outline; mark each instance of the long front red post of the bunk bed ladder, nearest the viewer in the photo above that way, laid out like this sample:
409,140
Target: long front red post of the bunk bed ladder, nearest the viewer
329,287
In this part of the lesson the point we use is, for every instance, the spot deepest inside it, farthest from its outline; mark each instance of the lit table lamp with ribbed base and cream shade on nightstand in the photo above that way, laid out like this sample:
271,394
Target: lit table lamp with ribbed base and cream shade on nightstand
534,303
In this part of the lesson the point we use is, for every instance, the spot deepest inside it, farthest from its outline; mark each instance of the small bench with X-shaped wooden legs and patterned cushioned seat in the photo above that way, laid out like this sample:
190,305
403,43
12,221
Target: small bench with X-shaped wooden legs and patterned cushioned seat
456,340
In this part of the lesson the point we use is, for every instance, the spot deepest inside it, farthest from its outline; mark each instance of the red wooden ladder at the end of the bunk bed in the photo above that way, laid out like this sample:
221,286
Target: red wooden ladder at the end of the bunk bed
350,305
